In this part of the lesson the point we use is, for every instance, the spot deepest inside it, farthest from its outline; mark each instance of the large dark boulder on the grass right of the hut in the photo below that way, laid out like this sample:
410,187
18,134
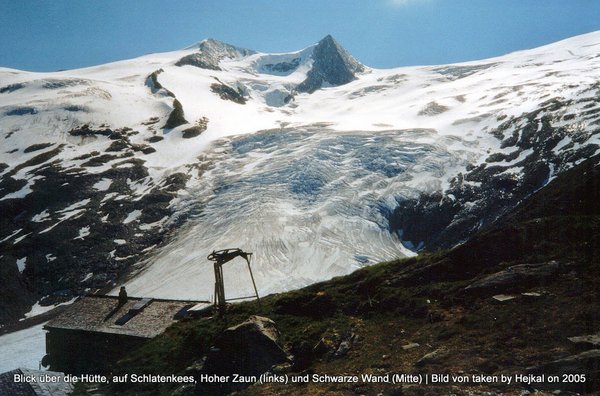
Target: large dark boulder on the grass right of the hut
248,349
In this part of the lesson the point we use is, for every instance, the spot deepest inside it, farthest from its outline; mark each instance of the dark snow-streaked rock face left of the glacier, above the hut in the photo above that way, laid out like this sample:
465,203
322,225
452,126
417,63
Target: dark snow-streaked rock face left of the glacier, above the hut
84,223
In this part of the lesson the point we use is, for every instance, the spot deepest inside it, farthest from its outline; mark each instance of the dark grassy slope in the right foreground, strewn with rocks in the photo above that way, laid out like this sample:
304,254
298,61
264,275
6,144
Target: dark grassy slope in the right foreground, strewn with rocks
422,300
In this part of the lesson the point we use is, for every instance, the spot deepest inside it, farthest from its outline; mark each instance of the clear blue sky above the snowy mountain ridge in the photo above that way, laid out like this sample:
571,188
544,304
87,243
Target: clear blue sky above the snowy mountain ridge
48,35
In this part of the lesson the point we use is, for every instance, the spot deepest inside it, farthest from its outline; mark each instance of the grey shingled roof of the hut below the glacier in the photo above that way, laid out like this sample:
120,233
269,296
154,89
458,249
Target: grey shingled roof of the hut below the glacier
138,317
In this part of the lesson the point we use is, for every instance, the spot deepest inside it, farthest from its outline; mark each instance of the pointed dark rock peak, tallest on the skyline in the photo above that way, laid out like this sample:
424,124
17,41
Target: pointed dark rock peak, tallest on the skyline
332,65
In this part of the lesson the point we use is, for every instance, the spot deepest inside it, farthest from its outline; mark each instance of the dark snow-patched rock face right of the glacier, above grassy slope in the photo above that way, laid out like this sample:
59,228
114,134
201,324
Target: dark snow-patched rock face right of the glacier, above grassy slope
483,193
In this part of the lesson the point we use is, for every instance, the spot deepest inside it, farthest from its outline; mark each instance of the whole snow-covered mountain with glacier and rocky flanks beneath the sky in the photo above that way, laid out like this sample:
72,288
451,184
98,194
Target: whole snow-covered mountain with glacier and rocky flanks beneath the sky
314,162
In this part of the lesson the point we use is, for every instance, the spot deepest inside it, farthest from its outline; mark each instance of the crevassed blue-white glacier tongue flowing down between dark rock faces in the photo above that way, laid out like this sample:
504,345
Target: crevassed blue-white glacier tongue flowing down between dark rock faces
311,203
